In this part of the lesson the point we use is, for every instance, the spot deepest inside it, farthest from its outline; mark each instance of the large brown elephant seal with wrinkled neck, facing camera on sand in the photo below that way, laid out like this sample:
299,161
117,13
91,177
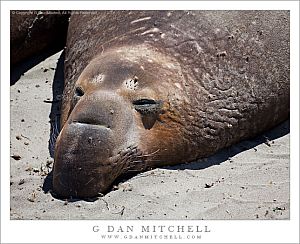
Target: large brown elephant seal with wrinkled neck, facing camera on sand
145,89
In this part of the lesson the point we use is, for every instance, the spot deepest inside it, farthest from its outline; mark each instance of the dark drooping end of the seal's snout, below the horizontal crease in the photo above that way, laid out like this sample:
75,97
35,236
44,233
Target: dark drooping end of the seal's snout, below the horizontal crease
82,154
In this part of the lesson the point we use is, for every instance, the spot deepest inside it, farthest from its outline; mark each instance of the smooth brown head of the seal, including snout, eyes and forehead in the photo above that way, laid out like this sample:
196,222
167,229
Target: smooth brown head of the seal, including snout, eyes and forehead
120,120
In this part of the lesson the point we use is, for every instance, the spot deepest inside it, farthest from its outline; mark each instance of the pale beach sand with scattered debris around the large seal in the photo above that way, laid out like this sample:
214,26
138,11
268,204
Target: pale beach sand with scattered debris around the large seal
249,180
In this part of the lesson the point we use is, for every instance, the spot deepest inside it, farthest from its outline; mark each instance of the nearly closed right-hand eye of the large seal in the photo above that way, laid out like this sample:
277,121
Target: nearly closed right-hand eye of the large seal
147,106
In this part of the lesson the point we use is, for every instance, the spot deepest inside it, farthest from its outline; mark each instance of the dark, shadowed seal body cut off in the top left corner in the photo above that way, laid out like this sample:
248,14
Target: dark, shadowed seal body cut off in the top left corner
34,31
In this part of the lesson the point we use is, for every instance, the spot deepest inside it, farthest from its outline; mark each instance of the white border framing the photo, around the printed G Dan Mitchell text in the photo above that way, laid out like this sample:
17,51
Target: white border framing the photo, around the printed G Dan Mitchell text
13,231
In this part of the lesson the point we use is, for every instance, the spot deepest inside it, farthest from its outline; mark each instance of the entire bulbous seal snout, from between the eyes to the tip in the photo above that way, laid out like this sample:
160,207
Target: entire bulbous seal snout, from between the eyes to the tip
87,147
